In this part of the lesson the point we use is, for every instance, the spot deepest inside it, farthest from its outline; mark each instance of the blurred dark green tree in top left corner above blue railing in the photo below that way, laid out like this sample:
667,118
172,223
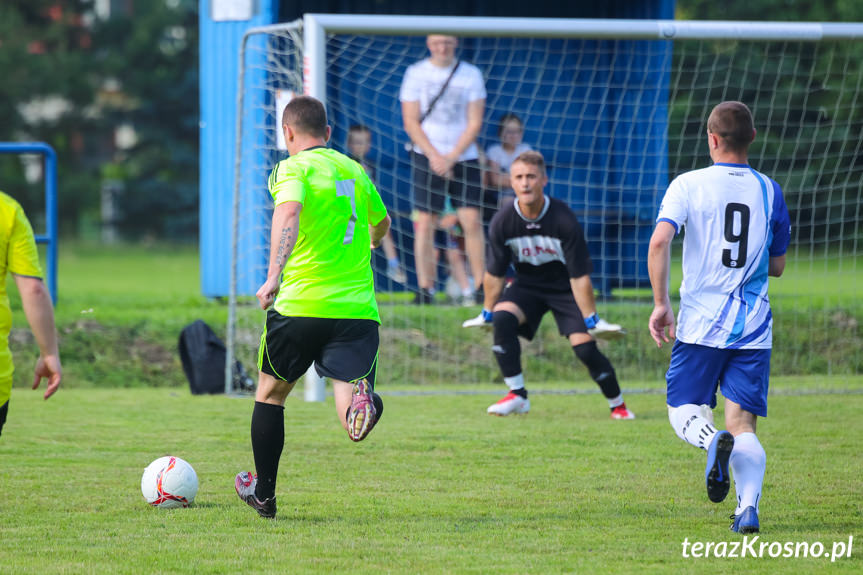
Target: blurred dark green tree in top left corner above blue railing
43,56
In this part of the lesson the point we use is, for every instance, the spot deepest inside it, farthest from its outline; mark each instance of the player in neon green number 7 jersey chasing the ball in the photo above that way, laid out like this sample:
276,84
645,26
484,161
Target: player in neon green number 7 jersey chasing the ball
327,217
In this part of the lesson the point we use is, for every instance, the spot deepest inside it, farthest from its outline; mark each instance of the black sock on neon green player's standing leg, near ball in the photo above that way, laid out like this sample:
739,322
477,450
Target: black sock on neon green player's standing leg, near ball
268,439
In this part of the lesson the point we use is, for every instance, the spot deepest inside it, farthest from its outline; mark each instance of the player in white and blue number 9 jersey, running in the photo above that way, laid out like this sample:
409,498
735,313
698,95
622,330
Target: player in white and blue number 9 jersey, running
737,233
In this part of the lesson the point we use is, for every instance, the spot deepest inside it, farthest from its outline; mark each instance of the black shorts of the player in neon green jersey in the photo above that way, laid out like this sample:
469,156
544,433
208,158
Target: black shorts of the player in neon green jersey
342,349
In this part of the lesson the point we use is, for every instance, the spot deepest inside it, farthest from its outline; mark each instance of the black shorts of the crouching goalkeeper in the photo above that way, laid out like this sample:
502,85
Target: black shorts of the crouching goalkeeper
534,302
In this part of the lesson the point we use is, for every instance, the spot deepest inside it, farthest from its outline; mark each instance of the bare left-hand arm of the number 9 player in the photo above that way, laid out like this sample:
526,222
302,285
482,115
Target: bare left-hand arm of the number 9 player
658,267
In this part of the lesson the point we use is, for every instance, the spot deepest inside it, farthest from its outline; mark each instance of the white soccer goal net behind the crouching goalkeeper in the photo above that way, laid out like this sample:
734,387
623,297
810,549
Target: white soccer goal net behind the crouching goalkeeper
618,110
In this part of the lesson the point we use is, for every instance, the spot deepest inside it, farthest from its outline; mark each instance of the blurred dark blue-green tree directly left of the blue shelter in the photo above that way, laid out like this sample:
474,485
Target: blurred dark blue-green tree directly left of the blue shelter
153,54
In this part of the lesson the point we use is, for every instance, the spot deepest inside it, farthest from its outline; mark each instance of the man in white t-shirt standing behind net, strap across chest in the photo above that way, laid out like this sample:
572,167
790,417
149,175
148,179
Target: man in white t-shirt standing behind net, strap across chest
443,101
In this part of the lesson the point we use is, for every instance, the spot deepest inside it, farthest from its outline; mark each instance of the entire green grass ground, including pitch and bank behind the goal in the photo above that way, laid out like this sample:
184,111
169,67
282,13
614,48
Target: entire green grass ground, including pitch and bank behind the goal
439,487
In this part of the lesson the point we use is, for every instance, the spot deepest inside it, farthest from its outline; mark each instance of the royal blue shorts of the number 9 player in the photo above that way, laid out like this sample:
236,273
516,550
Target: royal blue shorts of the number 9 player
696,371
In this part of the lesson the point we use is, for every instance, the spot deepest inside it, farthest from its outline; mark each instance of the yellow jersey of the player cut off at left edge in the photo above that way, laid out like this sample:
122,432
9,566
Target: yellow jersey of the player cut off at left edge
18,255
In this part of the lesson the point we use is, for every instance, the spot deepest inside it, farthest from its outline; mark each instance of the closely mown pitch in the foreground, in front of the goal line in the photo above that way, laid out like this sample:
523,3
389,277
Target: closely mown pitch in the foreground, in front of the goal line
438,487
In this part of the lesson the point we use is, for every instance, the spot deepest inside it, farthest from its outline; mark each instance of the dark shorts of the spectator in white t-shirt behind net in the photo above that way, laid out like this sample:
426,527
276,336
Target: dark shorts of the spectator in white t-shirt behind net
430,190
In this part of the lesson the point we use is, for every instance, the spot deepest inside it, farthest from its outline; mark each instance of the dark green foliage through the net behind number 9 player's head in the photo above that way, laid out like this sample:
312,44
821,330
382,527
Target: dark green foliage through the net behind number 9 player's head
802,95
